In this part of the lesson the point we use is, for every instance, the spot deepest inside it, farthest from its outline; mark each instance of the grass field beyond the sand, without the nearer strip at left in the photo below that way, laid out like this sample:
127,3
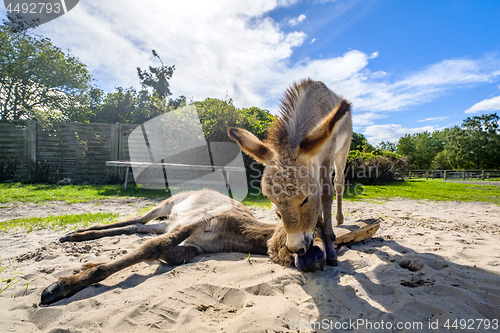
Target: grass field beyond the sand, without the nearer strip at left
417,189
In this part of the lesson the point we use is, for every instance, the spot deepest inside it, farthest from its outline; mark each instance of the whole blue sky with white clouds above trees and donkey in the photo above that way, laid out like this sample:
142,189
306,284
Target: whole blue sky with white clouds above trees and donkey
407,66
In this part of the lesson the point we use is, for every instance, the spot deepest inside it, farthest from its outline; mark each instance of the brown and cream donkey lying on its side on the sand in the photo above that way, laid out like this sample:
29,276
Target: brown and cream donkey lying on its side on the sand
202,221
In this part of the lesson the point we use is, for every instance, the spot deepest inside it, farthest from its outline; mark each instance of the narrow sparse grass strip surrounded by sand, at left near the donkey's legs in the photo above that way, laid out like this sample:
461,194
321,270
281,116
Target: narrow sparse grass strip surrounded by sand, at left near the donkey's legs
60,222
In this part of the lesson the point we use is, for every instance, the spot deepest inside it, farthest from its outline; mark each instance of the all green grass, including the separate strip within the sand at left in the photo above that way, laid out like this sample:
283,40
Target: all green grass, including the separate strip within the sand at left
417,189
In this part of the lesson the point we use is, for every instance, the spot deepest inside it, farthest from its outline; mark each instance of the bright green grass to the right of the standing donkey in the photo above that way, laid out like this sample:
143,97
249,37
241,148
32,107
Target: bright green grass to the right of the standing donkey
419,189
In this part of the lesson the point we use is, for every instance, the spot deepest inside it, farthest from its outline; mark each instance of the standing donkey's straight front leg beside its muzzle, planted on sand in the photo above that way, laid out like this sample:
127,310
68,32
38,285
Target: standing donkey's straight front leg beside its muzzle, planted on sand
327,196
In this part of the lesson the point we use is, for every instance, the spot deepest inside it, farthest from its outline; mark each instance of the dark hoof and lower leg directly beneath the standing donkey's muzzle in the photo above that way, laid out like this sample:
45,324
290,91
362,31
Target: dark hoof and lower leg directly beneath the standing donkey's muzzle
315,258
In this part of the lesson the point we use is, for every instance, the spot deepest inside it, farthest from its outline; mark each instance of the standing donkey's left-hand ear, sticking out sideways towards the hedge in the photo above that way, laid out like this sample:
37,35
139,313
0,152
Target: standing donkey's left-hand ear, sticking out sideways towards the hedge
251,145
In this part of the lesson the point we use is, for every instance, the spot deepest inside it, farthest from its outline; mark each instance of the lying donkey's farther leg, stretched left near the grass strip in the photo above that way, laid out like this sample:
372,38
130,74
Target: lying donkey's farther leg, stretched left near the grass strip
130,226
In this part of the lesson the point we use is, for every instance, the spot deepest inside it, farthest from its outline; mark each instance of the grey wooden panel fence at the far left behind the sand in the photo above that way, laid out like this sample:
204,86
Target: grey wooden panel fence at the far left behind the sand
74,150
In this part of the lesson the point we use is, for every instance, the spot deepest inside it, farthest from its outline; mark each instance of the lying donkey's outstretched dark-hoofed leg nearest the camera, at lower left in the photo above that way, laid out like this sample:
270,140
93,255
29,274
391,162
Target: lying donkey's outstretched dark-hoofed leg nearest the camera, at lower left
156,248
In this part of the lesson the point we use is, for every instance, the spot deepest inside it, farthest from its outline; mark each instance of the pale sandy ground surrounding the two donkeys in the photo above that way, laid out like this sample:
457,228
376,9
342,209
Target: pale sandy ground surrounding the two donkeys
431,263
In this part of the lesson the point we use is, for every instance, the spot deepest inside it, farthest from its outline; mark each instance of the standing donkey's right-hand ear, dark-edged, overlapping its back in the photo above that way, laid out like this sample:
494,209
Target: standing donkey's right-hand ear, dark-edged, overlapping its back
313,141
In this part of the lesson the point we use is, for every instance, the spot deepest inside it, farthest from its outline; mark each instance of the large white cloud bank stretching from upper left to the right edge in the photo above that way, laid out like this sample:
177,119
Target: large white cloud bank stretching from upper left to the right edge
235,48
